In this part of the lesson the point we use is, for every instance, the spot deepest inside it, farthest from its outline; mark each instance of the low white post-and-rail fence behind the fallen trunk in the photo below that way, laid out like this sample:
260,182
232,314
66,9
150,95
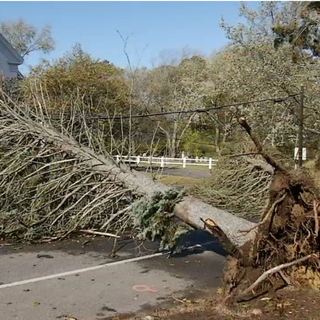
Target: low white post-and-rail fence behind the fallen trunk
163,161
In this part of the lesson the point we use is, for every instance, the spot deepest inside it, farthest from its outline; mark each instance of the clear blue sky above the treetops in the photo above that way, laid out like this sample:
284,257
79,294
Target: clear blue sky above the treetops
152,27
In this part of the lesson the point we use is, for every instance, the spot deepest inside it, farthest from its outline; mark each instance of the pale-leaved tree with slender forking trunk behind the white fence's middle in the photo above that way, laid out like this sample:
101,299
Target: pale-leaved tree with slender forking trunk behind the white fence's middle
171,87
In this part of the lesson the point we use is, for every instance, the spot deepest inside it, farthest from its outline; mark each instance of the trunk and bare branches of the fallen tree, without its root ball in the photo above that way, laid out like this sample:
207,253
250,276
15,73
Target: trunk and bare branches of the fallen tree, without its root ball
22,129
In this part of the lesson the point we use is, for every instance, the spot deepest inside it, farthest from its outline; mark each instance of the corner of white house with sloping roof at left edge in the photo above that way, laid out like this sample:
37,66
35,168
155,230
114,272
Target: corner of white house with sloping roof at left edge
10,59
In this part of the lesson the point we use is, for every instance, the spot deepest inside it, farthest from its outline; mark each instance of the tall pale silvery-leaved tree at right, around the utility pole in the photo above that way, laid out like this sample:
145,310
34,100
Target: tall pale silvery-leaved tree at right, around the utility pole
251,68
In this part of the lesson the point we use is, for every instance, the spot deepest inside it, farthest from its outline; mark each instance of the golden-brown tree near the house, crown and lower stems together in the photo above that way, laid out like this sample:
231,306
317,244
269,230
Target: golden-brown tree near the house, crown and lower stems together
77,86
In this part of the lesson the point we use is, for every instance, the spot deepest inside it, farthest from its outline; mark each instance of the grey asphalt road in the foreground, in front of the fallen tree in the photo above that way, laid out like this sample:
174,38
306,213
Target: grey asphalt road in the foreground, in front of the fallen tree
83,282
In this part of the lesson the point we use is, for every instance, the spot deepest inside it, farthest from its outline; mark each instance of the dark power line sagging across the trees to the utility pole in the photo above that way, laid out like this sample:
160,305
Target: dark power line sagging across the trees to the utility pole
277,100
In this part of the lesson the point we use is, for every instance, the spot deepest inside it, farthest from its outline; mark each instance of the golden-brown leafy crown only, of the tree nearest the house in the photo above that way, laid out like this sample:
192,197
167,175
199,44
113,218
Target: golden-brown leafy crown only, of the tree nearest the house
101,86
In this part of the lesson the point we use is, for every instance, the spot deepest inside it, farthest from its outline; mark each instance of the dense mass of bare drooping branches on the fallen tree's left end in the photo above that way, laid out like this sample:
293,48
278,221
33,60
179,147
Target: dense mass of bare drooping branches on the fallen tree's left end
48,192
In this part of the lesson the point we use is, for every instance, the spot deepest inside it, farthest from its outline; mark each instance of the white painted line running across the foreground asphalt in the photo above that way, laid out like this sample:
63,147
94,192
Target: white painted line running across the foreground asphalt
111,264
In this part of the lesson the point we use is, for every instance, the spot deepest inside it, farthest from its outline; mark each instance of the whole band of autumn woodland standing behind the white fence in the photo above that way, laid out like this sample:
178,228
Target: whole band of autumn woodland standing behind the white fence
184,81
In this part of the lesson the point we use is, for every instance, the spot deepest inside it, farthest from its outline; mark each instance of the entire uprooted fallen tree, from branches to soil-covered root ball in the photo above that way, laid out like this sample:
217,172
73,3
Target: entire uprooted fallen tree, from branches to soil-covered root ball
260,254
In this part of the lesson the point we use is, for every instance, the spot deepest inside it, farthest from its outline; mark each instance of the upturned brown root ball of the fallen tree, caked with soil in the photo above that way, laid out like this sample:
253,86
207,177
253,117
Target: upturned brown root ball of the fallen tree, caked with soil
286,247
